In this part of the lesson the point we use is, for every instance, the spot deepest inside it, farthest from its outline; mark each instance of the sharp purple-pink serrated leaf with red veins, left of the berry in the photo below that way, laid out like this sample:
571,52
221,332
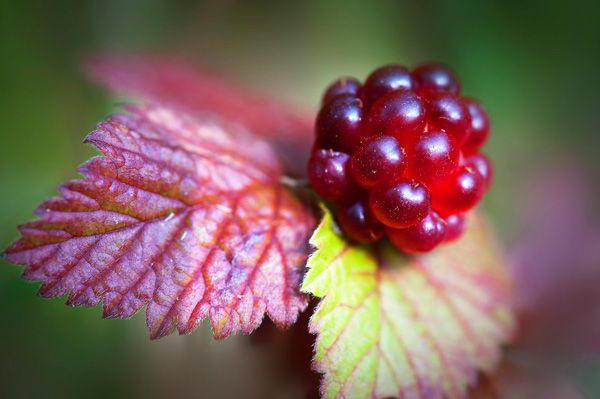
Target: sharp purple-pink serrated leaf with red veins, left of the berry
186,217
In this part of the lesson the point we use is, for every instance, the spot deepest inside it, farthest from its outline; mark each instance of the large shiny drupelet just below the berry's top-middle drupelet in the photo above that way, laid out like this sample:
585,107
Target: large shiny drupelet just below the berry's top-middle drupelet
400,114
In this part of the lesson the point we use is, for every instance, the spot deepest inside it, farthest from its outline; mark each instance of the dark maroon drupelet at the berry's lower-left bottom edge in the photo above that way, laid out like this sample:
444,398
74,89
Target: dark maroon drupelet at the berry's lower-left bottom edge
359,224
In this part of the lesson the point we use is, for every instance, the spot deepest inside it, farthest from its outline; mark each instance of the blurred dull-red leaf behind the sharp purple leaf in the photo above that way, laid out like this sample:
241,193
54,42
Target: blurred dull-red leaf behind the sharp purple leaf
176,82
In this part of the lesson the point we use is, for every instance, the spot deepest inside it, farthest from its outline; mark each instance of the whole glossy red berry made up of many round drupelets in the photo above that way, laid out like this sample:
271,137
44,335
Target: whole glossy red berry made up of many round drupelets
399,156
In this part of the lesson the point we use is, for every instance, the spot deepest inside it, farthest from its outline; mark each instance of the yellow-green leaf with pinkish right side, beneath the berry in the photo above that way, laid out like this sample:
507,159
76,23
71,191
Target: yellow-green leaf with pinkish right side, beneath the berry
394,326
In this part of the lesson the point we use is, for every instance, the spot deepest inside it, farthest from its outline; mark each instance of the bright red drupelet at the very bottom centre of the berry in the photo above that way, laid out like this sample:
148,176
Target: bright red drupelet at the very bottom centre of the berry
421,237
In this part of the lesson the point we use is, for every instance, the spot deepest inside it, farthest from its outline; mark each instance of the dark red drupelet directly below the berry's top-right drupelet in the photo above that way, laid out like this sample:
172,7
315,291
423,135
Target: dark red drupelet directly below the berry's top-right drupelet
448,113
